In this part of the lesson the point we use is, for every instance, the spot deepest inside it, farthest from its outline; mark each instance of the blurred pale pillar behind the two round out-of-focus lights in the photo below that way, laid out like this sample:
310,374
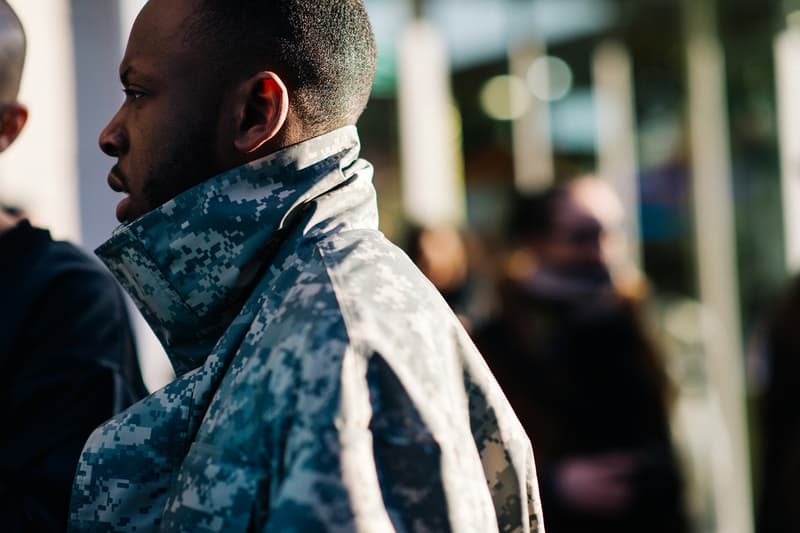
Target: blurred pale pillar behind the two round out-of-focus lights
533,147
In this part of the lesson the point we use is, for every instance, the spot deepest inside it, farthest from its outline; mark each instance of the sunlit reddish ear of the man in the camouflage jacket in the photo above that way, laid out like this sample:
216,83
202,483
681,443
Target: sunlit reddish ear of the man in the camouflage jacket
265,106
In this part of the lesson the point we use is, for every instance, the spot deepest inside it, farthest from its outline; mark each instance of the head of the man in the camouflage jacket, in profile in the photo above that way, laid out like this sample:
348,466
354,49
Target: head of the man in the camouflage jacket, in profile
213,84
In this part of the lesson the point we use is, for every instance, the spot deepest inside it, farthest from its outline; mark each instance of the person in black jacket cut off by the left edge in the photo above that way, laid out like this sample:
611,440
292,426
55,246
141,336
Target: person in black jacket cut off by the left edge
67,358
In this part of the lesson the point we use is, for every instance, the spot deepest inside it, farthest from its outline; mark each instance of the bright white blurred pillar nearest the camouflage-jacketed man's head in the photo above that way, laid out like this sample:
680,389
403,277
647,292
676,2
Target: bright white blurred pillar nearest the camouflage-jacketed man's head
433,188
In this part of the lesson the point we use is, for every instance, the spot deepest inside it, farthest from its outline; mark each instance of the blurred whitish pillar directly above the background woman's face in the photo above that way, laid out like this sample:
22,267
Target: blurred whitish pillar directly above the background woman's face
616,135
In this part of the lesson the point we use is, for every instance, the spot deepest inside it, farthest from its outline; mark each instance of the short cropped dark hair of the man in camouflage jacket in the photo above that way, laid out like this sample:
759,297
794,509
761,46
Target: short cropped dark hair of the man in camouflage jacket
324,50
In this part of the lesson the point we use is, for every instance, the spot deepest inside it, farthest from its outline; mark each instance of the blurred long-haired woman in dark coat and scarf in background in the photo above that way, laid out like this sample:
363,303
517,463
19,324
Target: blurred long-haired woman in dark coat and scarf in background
587,382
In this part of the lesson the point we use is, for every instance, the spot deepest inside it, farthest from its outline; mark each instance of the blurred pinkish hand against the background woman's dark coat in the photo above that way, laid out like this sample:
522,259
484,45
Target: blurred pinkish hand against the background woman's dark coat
601,484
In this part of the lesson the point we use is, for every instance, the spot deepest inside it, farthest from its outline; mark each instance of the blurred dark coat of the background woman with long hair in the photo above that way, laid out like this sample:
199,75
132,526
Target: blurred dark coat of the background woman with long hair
580,373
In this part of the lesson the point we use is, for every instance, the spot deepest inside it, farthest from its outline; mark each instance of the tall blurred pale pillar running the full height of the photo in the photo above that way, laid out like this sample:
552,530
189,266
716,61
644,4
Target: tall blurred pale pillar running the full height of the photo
718,273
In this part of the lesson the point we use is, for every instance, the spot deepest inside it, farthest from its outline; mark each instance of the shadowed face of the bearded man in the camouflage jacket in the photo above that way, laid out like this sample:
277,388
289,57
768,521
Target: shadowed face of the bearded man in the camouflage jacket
169,133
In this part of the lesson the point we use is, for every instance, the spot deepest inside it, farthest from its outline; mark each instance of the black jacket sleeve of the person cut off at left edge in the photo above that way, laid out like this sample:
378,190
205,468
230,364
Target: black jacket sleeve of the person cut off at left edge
66,362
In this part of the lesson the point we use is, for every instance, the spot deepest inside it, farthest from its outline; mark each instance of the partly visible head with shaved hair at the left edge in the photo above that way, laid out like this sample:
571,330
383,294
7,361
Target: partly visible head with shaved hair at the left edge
13,115
